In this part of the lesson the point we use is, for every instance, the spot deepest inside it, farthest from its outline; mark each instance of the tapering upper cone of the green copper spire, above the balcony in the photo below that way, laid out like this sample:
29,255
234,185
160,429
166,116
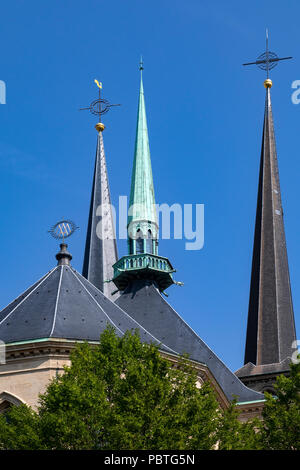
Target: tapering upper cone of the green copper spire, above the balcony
142,200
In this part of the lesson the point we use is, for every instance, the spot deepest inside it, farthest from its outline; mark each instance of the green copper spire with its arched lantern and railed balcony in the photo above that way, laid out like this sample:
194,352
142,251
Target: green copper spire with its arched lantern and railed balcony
143,261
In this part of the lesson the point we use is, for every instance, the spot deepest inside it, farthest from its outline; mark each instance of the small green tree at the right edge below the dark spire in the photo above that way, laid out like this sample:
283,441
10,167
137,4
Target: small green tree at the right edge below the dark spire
280,428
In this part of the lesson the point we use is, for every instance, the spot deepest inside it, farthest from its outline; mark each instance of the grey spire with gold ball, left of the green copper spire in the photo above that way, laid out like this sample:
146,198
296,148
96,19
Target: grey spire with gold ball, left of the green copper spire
100,248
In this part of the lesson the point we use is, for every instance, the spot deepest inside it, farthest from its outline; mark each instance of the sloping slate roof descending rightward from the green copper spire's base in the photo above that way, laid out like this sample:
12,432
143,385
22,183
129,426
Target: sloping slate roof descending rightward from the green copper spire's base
144,303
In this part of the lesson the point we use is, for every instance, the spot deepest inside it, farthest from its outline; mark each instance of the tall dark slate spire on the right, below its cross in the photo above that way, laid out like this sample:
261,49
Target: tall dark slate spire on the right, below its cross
271,326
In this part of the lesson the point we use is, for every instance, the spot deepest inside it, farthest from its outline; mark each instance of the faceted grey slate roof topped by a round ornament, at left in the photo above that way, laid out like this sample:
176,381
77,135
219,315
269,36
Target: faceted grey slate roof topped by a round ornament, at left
63,304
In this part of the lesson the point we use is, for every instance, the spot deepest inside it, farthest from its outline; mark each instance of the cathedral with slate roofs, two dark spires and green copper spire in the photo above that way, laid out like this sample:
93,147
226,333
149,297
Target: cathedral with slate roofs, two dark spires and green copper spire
43,324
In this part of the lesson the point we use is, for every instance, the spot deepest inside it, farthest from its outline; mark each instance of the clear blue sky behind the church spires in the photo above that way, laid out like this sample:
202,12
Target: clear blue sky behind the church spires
205,114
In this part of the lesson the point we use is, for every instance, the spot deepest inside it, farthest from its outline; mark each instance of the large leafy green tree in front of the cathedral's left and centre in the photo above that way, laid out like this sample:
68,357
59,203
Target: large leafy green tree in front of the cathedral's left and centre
122,394
